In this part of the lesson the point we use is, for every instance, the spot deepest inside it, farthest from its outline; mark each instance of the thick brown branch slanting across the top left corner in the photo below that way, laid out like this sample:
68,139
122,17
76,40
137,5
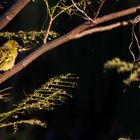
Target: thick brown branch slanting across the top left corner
12,12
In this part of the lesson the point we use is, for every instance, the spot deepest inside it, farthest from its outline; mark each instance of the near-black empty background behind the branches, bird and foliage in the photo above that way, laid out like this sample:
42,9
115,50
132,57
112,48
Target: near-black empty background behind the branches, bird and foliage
99,110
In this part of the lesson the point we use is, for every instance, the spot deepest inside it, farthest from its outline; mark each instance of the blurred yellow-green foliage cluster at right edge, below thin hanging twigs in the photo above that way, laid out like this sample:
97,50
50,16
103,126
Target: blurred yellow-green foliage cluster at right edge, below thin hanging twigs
123,66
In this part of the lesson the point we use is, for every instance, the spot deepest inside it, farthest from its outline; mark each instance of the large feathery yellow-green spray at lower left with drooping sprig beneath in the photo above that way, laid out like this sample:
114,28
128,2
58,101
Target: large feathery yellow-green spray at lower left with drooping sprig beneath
51,94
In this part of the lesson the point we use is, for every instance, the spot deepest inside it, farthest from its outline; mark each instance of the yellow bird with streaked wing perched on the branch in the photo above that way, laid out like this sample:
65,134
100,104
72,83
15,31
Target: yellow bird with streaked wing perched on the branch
8,54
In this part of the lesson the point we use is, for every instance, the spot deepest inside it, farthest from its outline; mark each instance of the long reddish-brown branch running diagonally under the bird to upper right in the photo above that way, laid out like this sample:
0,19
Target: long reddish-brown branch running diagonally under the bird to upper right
65,38
